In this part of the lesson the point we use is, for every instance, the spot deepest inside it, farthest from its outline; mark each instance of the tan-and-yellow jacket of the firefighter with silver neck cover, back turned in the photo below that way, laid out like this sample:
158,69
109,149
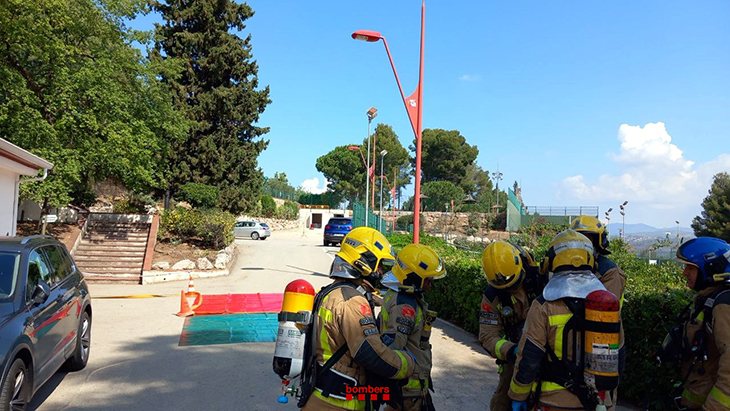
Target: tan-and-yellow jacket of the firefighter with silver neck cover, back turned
544,329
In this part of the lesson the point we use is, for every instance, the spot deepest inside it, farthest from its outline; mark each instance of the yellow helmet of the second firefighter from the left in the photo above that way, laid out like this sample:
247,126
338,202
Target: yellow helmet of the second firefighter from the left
415,263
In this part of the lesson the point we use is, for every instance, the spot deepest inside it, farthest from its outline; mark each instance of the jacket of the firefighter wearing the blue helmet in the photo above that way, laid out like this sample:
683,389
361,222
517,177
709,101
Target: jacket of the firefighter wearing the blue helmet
708,383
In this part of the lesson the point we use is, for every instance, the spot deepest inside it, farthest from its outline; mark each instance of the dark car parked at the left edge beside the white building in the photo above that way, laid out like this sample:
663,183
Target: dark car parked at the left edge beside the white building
45,316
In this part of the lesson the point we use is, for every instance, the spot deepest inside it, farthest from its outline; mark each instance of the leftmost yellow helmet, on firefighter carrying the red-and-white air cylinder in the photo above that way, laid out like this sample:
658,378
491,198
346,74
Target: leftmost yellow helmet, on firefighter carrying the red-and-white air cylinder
364,250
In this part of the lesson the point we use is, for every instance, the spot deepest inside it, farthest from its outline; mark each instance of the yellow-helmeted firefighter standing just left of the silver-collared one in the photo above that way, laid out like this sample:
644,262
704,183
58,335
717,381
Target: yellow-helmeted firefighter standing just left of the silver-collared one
514,281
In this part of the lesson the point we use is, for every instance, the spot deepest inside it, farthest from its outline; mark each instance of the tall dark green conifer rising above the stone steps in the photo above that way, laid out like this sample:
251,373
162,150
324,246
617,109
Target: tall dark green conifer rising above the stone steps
217,89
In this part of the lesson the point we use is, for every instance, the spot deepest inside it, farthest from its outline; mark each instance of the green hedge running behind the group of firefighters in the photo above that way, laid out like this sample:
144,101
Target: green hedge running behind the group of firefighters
655,294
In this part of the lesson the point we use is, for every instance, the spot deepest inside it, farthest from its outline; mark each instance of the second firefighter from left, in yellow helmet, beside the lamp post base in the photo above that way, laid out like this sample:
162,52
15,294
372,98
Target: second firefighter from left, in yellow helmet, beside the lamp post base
406,321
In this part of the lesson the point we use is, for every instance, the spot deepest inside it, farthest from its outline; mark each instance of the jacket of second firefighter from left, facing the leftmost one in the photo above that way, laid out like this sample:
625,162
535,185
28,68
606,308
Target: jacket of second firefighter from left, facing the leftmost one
404,324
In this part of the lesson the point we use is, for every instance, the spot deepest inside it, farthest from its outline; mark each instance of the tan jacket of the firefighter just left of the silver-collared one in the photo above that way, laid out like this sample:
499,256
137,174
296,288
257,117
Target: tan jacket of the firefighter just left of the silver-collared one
499,334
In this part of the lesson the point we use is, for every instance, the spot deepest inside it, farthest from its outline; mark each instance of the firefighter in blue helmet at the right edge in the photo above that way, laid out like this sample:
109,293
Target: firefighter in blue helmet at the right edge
702,341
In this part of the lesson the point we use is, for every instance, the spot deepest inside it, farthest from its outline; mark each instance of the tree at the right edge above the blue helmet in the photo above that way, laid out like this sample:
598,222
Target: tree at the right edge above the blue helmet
715,218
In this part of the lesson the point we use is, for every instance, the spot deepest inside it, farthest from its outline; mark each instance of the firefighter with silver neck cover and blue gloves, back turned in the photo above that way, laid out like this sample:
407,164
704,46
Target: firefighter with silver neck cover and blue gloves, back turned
548,352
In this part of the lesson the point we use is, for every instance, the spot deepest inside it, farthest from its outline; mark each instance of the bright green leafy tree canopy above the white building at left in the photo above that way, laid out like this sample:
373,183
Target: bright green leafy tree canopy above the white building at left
74,91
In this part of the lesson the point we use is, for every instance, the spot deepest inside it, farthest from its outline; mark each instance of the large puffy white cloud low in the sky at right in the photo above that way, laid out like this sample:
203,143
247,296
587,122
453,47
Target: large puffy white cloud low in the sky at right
655,174
